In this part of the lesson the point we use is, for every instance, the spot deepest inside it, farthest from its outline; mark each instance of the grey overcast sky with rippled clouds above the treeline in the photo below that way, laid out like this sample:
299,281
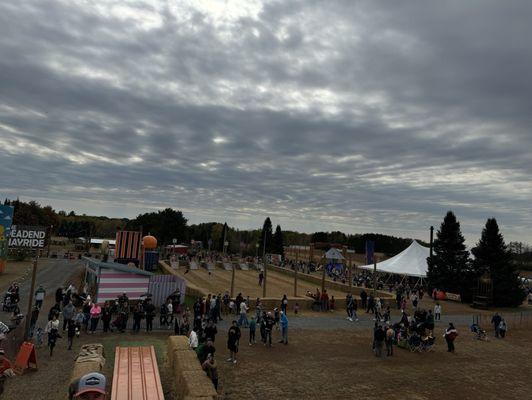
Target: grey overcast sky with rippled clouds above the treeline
360,116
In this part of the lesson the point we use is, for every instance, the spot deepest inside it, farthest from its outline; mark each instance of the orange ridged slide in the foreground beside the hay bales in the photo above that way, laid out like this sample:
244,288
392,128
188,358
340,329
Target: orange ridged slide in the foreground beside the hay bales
136,375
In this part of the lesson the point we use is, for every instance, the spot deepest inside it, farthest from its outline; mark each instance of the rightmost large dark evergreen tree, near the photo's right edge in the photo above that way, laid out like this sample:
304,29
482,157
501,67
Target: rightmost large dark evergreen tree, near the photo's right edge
493,257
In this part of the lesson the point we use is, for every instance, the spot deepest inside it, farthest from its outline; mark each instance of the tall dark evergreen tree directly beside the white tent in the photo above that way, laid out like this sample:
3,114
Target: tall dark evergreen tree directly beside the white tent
448,269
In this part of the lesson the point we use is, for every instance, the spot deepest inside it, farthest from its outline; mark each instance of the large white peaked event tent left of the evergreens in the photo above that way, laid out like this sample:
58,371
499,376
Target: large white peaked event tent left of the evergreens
412,261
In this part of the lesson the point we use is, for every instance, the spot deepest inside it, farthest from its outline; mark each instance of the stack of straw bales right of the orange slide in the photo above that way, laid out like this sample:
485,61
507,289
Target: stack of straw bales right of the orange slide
191,381
